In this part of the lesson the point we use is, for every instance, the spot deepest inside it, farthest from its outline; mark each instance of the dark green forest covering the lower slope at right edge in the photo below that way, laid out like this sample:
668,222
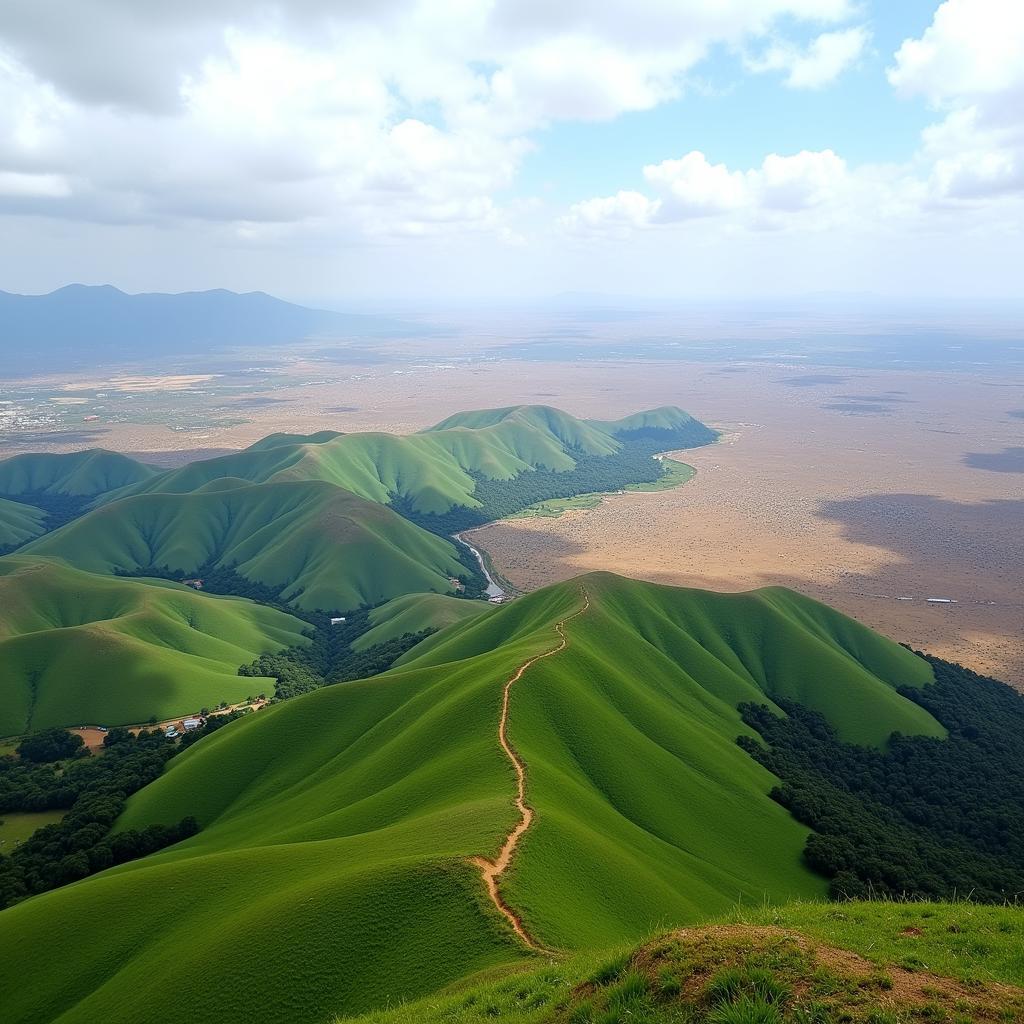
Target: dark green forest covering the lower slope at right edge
925,818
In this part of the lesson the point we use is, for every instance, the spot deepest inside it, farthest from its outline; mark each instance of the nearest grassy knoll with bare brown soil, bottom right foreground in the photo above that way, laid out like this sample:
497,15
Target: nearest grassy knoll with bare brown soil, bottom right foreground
862,964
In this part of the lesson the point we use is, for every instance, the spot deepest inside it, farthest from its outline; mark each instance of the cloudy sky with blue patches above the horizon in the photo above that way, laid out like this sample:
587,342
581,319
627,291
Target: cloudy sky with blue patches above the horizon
386,151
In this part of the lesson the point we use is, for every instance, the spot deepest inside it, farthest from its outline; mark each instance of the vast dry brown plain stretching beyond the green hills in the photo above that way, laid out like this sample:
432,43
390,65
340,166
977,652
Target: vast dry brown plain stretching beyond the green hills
858,487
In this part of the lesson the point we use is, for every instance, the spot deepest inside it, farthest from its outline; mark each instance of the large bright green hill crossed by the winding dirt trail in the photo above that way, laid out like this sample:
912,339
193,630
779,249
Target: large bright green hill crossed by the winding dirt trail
332,872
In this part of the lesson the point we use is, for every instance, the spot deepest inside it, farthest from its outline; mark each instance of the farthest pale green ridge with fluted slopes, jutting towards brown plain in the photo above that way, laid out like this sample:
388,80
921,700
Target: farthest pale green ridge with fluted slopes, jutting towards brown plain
433,470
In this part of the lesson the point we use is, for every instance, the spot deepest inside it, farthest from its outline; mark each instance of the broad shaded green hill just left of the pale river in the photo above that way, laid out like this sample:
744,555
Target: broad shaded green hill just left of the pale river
327,547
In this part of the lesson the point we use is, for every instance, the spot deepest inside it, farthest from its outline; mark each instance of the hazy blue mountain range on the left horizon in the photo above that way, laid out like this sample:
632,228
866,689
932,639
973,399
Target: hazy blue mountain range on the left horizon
86,323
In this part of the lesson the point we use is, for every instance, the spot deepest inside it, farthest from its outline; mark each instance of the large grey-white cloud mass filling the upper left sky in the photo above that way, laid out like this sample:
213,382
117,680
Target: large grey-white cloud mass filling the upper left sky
361,119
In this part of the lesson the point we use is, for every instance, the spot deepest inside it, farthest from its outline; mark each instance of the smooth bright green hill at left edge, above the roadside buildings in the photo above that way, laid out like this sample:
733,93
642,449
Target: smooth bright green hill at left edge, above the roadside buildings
81,649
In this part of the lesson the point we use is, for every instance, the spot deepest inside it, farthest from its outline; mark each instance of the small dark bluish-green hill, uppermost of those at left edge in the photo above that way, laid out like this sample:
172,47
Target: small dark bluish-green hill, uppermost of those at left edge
78,475
